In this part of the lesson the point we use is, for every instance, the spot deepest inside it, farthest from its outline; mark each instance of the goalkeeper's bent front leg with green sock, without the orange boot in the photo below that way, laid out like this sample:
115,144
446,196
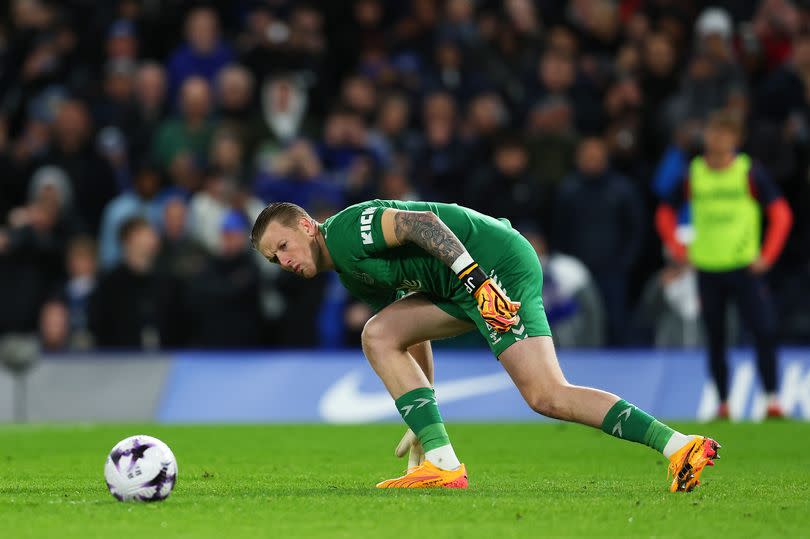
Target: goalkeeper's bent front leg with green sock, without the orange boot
386,340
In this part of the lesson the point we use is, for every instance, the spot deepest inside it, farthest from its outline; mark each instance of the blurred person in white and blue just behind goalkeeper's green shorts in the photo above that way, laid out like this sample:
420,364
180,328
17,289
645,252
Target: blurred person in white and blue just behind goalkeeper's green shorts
570,298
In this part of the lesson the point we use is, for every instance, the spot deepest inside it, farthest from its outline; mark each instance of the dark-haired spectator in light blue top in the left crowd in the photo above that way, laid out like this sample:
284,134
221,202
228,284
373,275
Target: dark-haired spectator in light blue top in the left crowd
142,201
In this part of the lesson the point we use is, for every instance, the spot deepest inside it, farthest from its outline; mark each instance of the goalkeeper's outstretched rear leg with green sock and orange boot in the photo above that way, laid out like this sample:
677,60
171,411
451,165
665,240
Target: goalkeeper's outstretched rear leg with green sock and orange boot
532,364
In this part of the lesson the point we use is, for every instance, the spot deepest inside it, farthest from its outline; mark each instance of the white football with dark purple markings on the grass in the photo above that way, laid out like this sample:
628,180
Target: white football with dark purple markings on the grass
140,468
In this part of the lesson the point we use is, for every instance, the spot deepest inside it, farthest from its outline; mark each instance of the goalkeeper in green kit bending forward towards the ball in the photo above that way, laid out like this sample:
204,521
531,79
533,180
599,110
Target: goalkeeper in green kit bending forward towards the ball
432,271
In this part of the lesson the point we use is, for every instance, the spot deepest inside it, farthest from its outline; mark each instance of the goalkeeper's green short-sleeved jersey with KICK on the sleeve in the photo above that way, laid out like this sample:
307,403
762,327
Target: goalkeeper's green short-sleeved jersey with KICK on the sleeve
377,274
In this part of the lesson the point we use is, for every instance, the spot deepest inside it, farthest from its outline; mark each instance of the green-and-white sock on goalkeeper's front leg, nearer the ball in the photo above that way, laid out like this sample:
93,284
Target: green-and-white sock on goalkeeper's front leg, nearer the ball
420,411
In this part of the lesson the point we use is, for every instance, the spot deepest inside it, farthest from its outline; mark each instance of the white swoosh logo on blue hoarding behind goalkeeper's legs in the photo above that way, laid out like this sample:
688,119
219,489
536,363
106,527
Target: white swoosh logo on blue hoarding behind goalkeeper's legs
344,402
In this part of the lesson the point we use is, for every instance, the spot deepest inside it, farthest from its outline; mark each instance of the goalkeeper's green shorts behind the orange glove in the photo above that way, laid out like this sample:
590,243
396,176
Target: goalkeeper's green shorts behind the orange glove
519,274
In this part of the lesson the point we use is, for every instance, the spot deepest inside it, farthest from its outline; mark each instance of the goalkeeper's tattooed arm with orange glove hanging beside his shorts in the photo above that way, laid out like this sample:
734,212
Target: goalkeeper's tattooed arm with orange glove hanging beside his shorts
426,230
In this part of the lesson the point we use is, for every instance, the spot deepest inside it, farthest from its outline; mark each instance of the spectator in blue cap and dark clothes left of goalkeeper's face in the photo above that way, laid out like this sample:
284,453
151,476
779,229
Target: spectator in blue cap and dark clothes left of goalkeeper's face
224,297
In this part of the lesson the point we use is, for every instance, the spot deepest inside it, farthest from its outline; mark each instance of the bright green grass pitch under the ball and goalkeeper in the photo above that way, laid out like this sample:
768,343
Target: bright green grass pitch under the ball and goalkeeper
527,480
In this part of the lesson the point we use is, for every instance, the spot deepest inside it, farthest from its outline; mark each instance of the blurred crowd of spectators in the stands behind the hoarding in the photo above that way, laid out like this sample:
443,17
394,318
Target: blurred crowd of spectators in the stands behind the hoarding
139,139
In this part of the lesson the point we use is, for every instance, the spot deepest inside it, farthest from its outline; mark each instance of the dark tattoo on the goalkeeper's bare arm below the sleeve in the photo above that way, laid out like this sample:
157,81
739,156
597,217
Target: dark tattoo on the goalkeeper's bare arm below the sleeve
427,231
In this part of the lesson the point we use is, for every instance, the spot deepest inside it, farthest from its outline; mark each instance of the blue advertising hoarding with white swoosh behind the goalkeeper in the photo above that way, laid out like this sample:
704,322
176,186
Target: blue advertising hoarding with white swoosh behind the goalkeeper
340,387
